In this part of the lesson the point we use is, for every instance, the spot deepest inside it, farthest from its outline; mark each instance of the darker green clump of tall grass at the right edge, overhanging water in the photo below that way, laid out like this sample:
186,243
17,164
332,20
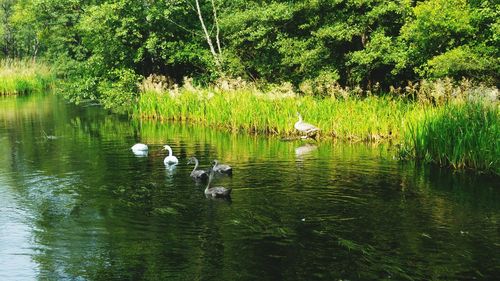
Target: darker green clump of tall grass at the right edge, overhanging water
458,134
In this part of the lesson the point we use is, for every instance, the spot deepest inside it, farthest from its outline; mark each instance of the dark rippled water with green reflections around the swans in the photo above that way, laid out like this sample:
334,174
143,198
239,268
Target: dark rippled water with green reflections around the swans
76,204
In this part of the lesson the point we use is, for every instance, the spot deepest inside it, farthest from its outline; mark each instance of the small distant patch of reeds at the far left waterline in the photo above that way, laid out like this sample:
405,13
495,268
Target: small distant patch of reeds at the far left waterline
21,77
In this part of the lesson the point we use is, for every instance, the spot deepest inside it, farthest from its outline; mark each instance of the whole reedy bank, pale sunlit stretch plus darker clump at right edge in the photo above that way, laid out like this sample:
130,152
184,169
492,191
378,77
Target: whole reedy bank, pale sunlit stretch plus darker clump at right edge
414,123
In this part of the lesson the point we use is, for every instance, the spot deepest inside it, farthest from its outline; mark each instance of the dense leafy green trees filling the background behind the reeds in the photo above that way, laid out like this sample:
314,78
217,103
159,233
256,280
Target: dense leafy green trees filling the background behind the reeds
107,46
